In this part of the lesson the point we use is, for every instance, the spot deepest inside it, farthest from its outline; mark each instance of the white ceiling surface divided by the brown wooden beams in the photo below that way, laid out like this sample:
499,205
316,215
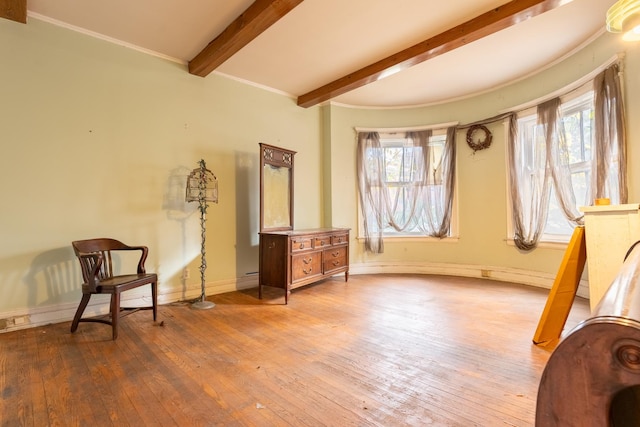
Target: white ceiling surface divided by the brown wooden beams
322,40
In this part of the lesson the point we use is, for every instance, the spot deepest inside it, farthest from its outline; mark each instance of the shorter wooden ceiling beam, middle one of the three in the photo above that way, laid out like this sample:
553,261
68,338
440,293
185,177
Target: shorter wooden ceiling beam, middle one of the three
246,27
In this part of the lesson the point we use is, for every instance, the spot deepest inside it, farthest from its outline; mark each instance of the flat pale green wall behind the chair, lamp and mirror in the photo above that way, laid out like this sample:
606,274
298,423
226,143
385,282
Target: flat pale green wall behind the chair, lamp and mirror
97,140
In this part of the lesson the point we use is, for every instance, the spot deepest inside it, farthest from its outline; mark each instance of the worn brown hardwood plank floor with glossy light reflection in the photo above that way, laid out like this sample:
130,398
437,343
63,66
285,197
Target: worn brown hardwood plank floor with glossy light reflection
380,350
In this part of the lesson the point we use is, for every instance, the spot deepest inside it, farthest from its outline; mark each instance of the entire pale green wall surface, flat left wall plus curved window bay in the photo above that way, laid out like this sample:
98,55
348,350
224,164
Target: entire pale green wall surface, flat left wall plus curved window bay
97,140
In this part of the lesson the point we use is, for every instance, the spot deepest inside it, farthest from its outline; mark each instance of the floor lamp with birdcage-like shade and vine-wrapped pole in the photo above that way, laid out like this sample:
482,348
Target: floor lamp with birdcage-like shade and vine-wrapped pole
202,187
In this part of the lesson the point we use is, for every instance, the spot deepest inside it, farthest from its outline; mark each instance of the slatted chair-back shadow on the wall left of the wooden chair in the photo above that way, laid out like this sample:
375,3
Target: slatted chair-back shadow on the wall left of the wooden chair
53,278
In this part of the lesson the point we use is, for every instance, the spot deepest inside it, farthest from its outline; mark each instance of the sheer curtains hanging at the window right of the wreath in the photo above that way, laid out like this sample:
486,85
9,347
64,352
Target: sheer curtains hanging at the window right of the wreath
531,187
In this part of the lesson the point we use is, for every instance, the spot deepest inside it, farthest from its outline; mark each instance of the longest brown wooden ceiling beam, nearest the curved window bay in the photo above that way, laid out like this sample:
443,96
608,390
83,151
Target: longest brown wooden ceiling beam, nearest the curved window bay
481,26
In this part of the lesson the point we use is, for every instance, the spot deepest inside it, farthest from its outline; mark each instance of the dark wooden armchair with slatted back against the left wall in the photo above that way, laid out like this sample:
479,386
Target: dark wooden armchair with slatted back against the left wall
95,256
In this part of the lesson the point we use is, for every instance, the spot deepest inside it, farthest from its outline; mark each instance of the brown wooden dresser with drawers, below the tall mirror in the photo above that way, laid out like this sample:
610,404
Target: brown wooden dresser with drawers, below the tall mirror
293,258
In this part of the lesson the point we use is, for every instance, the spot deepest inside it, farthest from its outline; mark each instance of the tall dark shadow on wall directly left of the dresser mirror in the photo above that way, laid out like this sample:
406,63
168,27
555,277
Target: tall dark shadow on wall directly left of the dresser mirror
247,212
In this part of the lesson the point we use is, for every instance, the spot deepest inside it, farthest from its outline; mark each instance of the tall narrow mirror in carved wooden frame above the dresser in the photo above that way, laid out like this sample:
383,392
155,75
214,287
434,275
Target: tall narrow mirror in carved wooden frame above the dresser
276,188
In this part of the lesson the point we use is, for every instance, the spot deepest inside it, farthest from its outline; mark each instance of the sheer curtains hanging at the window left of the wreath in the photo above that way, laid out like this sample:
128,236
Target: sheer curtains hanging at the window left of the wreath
426,203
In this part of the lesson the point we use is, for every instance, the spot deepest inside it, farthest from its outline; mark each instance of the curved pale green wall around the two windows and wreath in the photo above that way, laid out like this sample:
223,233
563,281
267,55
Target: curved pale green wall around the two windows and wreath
482,198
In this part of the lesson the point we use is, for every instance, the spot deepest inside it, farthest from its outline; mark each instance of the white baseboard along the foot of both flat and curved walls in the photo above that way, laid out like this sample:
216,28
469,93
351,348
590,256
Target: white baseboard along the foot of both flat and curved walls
99,305
